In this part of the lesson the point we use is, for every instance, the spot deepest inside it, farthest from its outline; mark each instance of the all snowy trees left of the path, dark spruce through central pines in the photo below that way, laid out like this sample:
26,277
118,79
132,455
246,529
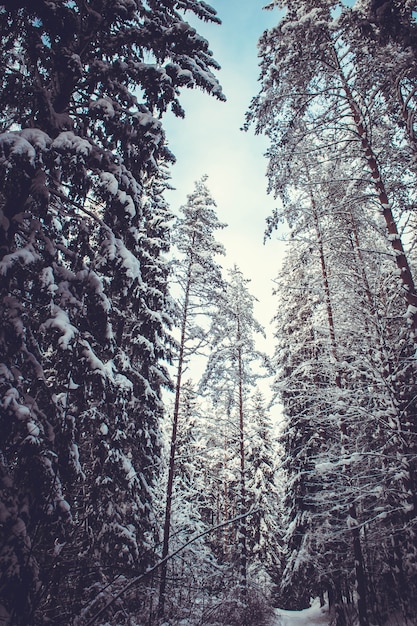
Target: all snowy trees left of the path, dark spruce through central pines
87,334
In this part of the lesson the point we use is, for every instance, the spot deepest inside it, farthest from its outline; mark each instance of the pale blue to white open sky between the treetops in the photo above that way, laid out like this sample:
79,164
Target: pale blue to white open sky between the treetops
209,142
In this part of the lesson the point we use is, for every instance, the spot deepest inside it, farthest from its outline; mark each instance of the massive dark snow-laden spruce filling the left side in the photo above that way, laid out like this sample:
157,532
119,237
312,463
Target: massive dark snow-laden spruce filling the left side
83,293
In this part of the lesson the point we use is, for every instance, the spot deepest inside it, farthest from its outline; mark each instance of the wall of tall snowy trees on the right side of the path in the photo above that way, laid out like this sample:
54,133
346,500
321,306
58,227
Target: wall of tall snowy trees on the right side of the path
338,102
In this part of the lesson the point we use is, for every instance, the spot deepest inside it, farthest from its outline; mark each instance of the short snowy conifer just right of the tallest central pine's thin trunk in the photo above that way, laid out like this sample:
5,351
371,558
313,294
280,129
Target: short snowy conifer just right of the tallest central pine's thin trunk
194,571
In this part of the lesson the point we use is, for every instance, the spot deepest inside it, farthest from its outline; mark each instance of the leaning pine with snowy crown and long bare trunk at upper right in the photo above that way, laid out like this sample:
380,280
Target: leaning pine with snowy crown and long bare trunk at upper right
310,91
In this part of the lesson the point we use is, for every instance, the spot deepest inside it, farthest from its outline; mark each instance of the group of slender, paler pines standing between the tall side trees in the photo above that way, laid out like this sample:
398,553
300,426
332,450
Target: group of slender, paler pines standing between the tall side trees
222,467
